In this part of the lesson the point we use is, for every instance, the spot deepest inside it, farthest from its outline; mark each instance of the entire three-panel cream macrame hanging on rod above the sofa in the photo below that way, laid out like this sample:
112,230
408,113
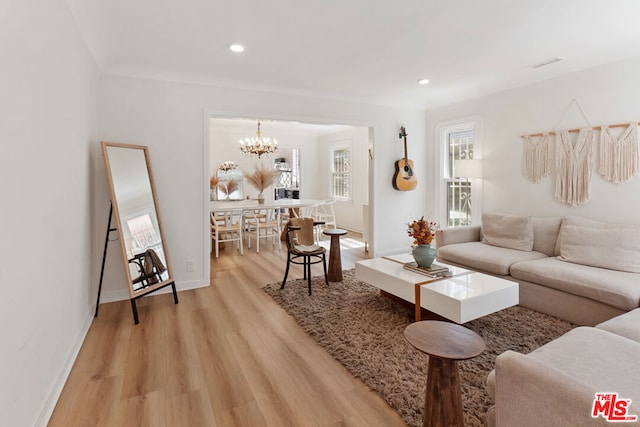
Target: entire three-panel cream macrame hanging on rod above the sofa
618,162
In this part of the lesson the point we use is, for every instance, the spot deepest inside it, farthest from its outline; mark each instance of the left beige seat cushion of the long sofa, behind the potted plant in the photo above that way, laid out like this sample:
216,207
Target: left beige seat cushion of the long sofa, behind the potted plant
483,257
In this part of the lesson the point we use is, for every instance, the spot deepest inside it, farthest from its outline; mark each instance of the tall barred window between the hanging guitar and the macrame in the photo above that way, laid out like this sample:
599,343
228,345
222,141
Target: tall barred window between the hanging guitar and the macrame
457,143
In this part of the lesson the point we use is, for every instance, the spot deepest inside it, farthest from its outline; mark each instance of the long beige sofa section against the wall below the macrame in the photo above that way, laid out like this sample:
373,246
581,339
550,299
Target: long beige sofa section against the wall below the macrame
573,268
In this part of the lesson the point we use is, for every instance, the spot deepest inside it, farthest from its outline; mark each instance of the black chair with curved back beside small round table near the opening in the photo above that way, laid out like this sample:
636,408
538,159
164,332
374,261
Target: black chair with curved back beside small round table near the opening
302,250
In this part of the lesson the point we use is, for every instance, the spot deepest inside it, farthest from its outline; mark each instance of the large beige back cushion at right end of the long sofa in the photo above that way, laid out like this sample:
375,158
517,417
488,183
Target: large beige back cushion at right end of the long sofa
612,248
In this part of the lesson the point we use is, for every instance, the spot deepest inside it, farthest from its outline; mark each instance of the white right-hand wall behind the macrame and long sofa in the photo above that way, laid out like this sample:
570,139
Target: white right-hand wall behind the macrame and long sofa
608,94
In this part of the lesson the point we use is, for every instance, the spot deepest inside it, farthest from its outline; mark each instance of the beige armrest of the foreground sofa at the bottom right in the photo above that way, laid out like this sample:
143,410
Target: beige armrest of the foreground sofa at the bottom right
531,393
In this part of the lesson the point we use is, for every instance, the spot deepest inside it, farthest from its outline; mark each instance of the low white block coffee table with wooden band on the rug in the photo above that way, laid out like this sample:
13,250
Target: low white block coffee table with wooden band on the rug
462,297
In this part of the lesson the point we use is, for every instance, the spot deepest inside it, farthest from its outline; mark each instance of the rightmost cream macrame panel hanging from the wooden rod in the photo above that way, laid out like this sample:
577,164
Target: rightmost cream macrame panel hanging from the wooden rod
619,156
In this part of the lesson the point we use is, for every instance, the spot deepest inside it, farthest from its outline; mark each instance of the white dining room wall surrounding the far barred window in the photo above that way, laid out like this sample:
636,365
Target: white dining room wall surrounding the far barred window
348,214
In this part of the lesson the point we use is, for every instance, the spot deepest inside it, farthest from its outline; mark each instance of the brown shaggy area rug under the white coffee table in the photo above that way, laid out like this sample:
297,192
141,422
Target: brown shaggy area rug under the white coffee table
364,331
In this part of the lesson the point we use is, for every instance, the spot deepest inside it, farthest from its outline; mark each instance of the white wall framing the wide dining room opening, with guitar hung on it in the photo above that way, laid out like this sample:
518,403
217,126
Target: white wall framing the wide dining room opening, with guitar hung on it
170,119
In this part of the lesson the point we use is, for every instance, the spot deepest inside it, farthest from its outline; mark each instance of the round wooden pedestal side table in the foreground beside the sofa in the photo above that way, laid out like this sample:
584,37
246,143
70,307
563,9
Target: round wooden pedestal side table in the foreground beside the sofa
445,343
